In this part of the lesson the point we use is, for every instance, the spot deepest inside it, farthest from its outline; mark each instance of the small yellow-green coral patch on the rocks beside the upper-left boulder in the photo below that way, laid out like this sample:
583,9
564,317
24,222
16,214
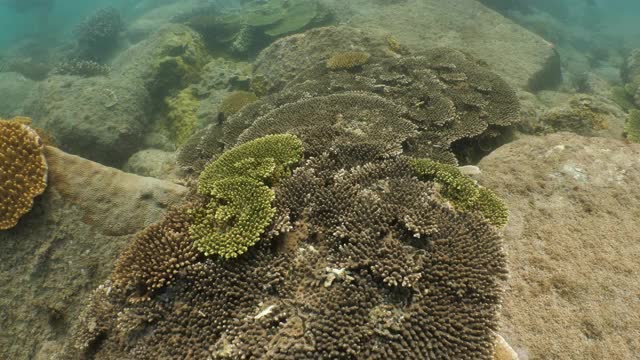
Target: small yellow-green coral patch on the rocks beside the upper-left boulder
181,115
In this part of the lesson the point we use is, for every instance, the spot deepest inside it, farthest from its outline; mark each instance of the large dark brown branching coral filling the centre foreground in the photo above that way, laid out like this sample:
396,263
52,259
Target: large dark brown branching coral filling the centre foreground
373,266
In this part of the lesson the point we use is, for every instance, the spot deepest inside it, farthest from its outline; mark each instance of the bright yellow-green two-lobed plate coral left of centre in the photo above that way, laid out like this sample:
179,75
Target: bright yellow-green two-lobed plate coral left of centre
238,185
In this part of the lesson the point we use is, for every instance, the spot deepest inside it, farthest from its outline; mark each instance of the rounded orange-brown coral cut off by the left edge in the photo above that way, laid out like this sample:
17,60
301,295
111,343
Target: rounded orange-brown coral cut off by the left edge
23,170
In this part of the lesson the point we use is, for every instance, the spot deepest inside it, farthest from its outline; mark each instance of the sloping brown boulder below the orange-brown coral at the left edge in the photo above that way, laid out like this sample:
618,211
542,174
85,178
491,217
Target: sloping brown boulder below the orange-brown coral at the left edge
66,246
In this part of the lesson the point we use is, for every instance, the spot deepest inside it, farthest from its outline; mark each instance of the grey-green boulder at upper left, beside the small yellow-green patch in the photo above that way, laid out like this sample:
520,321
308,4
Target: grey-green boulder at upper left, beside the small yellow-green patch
106,118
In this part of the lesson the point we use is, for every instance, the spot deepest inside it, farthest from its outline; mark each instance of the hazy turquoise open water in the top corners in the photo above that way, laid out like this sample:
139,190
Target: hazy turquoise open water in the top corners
54,20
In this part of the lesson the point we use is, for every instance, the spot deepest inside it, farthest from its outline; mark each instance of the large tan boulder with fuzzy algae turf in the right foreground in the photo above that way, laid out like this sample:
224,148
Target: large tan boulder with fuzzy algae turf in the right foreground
573,241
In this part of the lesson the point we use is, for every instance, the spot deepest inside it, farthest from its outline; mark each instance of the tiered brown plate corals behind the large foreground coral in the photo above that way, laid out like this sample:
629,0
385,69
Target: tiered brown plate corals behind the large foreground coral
442,93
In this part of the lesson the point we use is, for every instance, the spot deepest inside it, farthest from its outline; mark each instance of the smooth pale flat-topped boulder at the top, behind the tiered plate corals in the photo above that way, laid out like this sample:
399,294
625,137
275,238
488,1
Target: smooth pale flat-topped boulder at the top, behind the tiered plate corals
524,59
